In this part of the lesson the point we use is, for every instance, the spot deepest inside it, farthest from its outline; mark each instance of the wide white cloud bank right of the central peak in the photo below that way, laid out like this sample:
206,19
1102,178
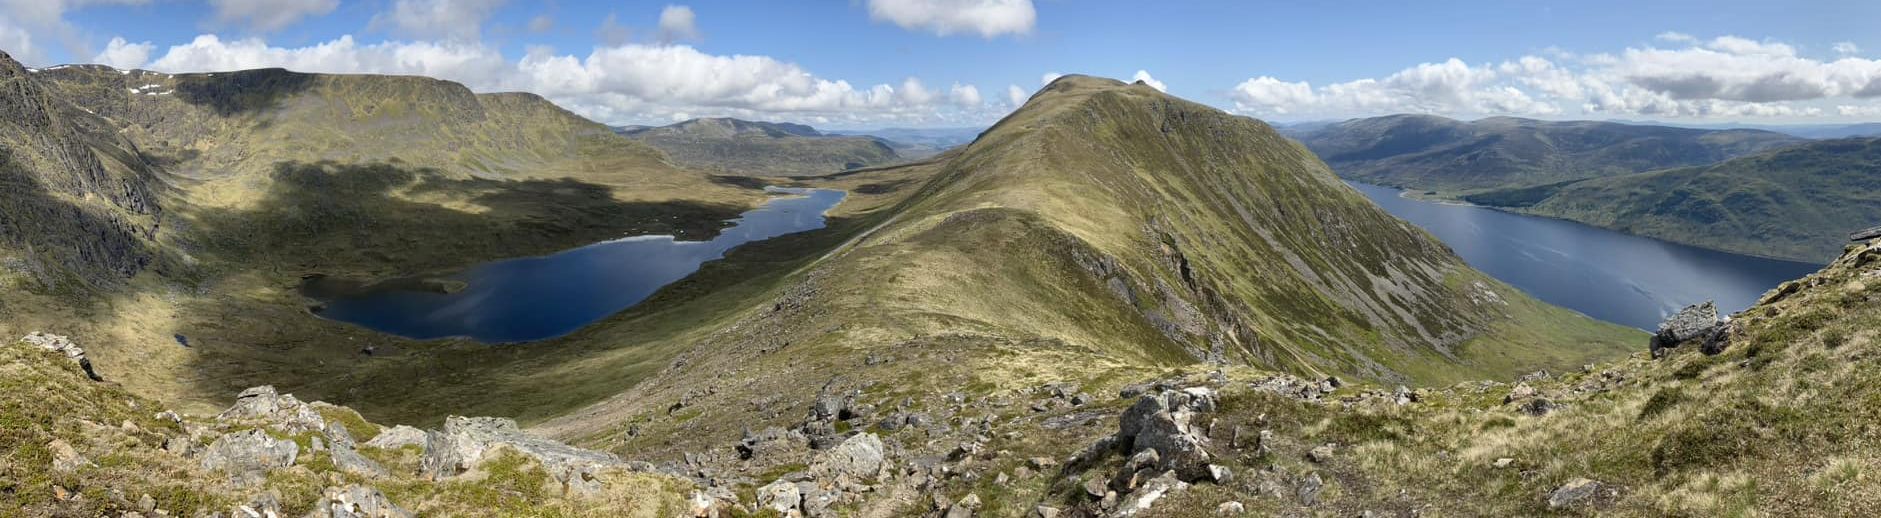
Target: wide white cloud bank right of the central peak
1720,78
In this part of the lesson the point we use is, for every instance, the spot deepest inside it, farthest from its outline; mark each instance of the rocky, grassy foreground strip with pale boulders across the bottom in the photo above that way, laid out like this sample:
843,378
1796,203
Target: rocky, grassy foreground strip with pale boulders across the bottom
1769,412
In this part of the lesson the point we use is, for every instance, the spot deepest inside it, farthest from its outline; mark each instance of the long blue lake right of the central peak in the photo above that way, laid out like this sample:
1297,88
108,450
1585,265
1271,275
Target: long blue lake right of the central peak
1617,278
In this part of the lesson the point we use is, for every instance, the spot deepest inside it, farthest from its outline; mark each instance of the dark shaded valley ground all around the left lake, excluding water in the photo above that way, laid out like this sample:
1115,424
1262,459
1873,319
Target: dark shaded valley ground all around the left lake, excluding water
379,221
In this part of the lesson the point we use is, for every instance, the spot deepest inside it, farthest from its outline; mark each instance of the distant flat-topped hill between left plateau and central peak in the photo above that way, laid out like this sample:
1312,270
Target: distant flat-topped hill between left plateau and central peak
774,150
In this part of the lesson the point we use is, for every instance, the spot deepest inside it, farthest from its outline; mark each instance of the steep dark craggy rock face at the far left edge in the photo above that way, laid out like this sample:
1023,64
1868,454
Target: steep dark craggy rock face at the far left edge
76,201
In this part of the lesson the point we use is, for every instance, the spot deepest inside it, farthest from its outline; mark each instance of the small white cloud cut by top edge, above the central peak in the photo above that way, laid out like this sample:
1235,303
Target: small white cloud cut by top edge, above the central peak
945,18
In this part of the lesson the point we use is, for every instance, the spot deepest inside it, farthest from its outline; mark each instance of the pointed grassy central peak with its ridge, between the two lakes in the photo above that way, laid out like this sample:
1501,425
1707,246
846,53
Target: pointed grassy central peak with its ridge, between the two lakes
1101,233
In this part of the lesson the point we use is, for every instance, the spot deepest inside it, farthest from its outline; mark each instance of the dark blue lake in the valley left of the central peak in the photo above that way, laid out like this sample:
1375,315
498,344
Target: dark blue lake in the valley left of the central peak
550,297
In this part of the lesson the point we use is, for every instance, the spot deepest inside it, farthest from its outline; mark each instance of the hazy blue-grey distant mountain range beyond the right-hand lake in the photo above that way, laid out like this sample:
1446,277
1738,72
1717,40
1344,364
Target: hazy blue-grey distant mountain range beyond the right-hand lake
1434,154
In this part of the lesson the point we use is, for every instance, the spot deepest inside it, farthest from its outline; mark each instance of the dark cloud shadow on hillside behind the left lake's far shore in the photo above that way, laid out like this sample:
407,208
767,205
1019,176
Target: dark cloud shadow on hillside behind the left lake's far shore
390,218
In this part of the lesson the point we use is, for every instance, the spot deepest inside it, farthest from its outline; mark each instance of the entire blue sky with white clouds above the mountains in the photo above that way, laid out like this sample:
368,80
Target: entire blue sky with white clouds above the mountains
953,63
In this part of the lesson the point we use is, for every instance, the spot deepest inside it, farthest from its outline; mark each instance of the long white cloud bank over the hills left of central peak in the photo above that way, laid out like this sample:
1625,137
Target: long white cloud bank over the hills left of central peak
612,84
